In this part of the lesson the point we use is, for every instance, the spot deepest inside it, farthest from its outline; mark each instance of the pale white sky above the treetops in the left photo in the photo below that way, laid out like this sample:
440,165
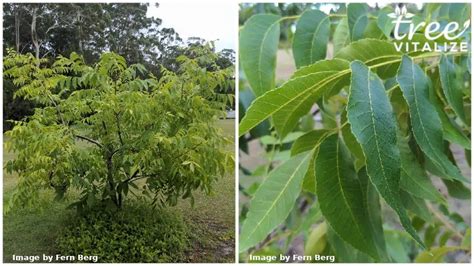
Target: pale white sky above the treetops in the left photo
209,20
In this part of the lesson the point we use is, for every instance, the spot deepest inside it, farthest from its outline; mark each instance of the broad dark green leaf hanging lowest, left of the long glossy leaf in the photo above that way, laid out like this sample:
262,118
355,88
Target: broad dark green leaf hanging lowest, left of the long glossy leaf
340,196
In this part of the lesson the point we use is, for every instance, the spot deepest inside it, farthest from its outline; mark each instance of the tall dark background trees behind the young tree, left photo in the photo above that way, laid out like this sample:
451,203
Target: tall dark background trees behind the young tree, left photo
50,30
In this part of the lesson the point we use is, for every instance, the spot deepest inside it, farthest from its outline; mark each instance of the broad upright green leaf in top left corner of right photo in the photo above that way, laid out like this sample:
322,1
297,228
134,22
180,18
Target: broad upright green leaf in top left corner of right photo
258,45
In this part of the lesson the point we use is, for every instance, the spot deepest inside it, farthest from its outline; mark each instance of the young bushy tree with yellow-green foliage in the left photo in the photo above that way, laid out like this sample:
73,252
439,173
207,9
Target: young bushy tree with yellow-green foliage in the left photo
110,129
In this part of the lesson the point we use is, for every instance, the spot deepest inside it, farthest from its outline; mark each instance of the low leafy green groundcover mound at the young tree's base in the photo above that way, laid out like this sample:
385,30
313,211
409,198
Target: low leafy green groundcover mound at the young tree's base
133,234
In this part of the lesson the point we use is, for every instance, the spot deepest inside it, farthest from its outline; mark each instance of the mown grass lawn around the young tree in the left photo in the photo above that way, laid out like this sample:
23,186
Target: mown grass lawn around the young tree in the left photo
33,231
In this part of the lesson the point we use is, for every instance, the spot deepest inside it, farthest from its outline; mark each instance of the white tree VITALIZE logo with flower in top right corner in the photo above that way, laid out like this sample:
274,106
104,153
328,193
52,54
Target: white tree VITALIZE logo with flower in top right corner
451,34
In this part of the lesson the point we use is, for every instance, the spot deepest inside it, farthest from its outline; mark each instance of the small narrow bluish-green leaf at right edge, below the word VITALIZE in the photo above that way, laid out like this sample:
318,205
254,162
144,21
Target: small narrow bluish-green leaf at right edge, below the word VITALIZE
452,83
